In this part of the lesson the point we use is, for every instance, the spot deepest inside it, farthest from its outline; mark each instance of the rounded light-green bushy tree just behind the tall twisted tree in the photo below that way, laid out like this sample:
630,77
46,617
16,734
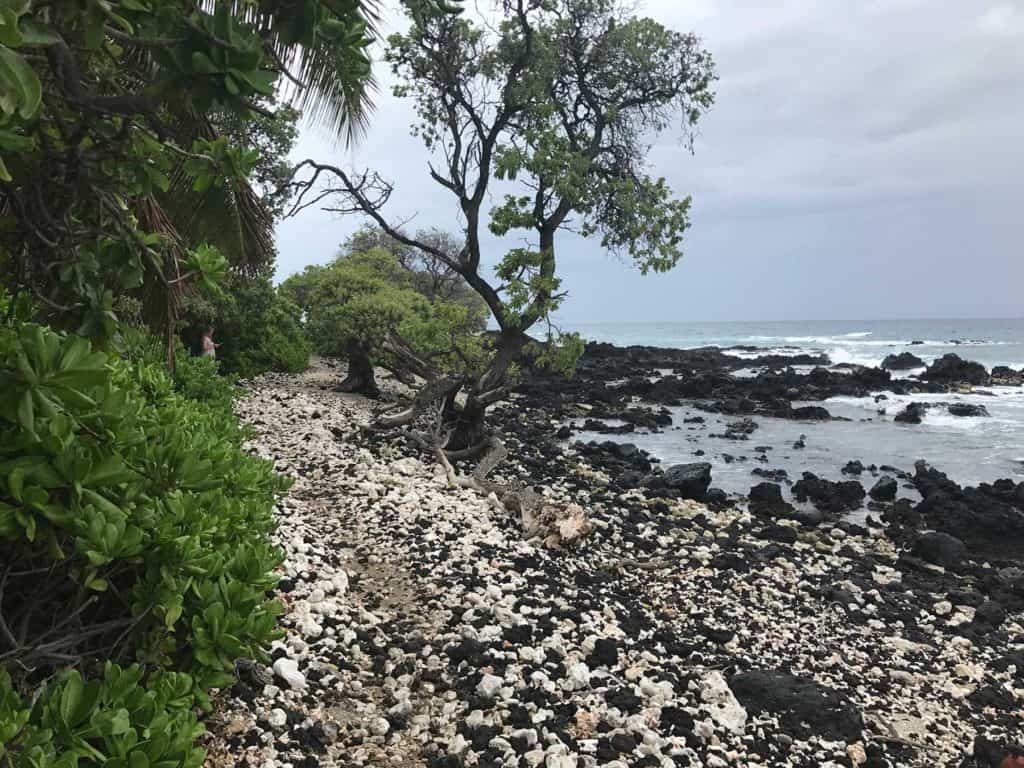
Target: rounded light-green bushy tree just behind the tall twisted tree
373,310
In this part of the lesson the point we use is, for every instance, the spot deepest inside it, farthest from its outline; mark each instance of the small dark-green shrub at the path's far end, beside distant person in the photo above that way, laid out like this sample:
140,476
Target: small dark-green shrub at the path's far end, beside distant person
257,328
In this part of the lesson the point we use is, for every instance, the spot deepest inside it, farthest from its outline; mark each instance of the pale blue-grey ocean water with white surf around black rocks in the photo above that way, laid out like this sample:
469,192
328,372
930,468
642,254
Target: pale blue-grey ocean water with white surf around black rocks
969,450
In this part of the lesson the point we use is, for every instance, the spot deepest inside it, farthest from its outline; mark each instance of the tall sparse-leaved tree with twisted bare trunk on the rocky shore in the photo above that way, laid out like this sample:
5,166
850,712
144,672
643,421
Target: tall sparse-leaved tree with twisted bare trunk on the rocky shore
558,103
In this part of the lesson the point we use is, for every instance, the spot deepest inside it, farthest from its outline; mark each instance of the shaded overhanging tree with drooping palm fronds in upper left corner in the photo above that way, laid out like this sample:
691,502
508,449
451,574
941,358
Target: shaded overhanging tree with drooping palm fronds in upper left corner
117,138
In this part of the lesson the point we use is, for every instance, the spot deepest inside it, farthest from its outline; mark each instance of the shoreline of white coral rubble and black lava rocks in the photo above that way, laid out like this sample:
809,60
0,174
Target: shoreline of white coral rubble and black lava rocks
424,628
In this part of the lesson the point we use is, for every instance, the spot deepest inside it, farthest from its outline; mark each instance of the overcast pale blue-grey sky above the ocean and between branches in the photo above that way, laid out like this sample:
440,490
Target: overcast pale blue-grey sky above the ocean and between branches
864,160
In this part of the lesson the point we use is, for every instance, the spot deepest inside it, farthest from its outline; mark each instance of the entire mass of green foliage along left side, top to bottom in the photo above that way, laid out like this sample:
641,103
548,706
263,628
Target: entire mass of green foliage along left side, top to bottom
141,161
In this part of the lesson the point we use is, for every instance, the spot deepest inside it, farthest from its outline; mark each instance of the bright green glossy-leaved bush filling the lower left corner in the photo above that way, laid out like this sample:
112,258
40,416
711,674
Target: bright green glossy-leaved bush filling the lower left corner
134,547
